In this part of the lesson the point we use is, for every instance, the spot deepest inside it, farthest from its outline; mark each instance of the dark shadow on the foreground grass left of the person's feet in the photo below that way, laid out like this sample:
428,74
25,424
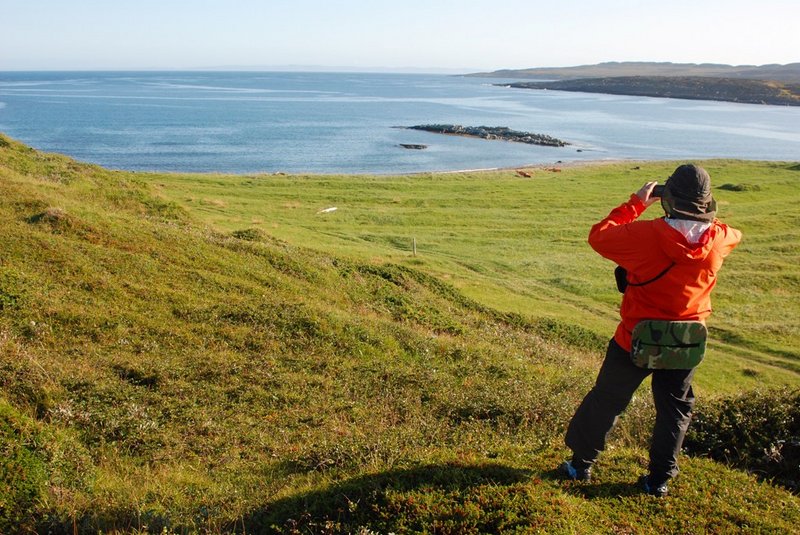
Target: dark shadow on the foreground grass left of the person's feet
362,501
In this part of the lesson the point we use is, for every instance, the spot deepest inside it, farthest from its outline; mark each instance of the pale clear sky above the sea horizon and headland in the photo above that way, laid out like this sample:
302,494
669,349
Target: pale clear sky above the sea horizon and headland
396,35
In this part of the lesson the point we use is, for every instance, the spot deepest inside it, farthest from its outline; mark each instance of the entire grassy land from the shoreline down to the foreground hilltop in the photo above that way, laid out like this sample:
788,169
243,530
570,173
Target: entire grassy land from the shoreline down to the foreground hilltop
225,354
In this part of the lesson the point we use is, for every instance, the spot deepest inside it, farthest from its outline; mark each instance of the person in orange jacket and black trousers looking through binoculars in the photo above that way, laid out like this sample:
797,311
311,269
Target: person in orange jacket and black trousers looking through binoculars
672,265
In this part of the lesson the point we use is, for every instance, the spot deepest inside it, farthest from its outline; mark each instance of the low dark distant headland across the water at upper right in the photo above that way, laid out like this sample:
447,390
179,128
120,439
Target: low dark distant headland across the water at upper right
768,84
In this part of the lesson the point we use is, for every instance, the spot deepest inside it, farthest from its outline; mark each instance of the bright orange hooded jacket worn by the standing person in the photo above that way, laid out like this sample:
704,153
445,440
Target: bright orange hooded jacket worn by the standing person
645,249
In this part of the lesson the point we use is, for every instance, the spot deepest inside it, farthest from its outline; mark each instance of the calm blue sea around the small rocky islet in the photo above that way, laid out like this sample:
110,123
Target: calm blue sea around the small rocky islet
336,122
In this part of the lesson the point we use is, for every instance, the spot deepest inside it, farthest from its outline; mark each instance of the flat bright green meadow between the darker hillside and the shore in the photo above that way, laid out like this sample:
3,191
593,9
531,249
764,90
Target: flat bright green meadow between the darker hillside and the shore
519,244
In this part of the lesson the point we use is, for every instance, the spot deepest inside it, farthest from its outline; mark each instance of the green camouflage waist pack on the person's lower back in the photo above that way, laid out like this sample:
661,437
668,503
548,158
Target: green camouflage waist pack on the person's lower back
668,345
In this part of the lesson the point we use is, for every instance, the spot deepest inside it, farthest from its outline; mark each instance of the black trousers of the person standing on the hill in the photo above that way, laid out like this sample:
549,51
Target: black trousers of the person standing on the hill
617,381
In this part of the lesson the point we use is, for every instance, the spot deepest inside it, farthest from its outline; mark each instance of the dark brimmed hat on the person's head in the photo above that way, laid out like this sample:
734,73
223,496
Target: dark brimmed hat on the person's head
687,194
